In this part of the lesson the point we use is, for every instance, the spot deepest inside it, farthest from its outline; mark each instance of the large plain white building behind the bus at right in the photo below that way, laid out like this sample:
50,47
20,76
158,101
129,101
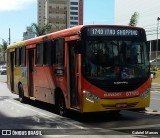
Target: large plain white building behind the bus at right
148,12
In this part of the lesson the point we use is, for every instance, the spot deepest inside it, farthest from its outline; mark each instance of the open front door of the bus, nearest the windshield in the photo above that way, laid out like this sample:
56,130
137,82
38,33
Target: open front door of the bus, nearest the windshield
73,76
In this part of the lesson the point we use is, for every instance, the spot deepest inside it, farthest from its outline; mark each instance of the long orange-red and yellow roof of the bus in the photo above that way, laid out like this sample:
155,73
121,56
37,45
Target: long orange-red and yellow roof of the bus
66,32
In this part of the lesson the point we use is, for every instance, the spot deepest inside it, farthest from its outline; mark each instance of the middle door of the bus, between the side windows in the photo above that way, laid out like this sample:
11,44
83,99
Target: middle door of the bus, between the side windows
31,71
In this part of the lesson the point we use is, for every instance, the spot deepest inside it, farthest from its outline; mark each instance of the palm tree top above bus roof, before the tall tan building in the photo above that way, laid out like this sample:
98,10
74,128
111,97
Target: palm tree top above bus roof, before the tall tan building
40,30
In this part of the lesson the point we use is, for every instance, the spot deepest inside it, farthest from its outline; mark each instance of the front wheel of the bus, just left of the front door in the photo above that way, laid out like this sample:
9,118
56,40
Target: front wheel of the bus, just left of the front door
61,105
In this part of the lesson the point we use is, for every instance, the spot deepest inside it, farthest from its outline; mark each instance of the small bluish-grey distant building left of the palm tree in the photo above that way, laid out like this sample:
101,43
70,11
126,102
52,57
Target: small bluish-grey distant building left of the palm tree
28,34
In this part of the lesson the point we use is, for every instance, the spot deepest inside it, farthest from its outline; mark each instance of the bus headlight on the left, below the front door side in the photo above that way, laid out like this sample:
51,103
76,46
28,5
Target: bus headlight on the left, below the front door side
91,97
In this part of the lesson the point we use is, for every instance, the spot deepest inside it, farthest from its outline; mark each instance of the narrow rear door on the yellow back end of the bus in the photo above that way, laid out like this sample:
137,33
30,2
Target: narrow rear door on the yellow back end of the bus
12,70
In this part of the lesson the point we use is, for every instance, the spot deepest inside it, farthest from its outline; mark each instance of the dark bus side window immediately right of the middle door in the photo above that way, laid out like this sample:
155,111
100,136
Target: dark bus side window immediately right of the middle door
39,54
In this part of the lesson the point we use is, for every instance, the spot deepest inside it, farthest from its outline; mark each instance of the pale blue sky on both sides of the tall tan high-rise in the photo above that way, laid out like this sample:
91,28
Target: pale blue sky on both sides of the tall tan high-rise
18,14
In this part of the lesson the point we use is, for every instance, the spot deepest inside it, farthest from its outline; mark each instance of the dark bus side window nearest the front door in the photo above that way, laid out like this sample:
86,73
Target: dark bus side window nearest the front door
59,51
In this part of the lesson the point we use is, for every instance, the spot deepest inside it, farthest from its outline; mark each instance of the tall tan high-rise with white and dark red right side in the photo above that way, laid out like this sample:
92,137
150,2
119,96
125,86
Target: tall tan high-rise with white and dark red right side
60,14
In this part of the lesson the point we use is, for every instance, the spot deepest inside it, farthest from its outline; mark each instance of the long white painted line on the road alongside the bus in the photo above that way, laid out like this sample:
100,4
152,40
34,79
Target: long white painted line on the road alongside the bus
47,116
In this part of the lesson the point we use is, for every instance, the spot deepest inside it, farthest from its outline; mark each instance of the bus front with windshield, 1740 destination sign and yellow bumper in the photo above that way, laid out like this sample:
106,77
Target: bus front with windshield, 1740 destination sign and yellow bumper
115,69
